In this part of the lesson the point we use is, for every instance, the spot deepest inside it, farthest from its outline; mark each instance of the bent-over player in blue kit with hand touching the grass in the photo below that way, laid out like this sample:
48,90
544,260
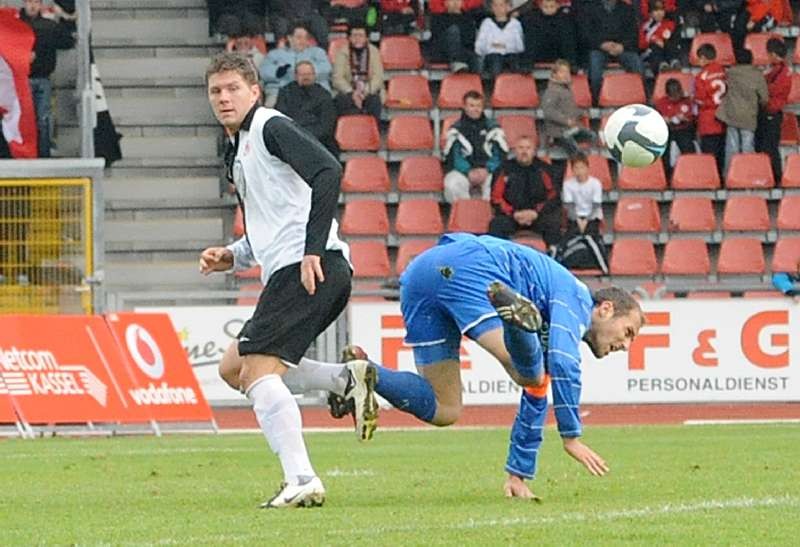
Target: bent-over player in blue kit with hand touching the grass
523,308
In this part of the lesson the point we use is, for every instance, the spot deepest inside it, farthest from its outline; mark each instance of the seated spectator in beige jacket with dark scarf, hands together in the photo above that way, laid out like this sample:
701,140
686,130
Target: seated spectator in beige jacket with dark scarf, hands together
358,75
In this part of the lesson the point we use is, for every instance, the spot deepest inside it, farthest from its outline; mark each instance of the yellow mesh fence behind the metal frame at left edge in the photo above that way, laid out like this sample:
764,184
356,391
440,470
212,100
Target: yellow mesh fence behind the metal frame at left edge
45,245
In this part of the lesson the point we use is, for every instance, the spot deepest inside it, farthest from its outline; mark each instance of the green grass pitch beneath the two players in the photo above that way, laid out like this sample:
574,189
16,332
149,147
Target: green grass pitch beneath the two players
723,485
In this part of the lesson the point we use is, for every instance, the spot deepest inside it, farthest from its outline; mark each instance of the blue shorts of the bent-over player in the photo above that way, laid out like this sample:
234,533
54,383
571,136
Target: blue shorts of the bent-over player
443,296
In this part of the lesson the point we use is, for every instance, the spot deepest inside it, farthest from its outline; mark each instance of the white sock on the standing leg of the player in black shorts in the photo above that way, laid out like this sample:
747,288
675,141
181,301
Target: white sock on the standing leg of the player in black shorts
279,417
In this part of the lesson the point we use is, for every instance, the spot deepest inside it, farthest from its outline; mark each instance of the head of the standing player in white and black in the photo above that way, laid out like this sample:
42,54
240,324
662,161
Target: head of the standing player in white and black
233,89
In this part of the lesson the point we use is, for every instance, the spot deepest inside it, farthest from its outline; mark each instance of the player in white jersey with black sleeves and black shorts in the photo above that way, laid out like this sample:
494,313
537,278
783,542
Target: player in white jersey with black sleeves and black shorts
288,187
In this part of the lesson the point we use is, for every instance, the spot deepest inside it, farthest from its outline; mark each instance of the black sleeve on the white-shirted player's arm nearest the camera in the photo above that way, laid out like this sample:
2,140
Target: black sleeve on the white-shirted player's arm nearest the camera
316,166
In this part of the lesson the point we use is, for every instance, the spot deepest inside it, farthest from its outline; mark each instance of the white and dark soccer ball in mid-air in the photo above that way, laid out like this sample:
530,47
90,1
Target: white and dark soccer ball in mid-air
636,135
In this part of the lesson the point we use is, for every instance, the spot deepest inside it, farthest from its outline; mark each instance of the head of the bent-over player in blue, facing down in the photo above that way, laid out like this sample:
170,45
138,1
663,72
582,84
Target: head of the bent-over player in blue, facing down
616,320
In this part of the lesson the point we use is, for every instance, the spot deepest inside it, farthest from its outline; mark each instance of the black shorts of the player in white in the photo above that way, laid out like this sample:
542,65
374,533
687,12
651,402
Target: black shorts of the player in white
287,319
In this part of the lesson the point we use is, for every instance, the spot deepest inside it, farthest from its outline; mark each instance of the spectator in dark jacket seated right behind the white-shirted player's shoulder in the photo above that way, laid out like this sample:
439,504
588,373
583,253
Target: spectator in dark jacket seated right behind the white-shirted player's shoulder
310,105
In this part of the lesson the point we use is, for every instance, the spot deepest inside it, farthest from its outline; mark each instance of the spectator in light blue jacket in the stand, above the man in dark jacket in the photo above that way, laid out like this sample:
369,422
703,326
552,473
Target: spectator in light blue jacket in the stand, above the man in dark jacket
278,66
